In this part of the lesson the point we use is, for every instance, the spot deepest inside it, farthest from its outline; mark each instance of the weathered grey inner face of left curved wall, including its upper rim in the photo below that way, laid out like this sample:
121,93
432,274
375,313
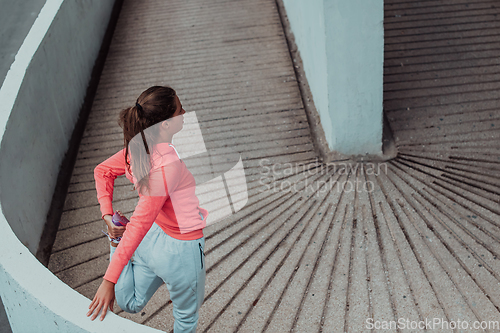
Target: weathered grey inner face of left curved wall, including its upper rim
42,95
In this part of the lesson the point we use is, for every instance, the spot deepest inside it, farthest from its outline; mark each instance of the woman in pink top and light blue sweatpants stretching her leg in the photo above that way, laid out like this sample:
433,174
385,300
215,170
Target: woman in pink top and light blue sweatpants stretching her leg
163,242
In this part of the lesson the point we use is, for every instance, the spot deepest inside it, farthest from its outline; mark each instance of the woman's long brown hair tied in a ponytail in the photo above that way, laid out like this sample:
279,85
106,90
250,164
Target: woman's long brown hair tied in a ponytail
154,105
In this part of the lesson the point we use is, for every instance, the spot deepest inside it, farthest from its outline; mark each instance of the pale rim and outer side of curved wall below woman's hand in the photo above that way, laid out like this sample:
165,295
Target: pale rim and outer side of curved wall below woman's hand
37,301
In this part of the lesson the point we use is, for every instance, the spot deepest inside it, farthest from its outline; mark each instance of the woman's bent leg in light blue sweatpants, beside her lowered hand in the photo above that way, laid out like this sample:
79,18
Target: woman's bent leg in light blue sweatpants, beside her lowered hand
136,285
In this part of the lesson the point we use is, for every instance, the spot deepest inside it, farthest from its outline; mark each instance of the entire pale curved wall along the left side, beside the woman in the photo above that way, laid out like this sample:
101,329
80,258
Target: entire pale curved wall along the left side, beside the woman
40,100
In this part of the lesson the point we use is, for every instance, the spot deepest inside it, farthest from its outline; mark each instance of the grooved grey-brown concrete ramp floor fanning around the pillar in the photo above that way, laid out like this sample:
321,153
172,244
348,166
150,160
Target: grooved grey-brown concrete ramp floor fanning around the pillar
317,248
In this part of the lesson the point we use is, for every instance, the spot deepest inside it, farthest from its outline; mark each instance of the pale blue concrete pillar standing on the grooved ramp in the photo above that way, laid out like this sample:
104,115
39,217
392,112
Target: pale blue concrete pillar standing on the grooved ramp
341,44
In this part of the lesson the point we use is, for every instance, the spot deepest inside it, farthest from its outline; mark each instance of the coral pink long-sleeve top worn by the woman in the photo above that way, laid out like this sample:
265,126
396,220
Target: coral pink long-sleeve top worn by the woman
170,202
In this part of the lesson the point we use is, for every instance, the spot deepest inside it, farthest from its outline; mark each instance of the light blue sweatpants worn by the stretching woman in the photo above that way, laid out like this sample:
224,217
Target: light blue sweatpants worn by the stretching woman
161,258
